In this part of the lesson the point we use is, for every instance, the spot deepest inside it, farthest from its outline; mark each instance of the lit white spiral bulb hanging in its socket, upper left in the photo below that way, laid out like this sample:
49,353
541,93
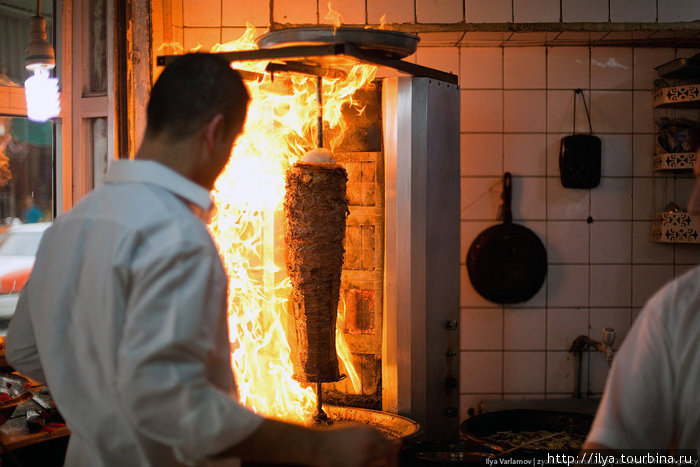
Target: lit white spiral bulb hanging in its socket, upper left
41,91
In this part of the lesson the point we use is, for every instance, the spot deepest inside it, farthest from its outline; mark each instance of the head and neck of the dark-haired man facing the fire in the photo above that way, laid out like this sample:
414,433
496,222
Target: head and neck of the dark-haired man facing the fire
196,110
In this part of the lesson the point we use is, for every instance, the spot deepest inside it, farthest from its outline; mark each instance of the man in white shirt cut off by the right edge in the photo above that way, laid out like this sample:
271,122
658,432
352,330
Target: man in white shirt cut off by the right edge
651,399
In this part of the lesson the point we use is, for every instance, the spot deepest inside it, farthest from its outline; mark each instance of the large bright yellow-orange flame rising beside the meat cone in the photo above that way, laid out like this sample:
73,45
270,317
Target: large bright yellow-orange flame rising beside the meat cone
280,127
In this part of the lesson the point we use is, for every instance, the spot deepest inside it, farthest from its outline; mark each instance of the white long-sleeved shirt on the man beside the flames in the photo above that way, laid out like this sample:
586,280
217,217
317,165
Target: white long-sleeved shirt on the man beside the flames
124,318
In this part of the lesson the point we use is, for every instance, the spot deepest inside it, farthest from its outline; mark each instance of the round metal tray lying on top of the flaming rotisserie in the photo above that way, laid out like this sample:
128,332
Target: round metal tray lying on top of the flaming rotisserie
393,44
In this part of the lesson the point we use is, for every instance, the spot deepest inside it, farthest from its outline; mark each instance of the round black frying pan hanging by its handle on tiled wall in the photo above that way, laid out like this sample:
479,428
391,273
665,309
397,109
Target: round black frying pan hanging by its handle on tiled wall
507,263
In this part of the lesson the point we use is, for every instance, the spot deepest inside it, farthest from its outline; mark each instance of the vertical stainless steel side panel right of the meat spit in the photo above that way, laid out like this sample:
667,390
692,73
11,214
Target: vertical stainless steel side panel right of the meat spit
421,360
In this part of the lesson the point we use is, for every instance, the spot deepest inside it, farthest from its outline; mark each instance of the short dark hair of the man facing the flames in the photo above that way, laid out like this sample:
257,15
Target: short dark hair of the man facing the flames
191,90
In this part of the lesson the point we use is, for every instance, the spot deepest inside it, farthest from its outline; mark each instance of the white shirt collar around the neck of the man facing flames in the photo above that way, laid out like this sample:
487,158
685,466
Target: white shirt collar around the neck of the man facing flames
154,173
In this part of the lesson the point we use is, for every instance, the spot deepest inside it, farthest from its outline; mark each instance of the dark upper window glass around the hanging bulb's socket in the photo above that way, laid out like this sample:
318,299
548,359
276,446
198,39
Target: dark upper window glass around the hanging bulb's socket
14,37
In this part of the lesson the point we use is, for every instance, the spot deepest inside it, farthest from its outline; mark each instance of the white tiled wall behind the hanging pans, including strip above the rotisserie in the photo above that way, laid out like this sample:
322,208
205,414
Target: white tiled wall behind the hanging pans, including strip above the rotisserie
516,105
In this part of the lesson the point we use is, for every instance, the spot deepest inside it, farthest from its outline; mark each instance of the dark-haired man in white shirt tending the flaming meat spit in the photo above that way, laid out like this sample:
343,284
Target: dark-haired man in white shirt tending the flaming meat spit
124,315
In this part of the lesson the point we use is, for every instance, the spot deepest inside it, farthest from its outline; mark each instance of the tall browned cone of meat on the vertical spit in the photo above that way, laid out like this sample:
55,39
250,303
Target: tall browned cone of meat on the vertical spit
315,208
